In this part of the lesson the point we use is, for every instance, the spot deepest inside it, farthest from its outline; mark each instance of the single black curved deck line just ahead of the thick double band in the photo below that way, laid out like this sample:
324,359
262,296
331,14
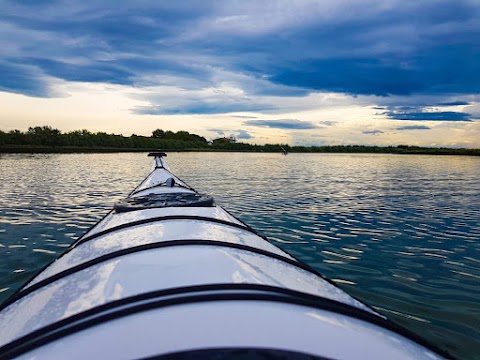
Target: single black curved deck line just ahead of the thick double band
28,290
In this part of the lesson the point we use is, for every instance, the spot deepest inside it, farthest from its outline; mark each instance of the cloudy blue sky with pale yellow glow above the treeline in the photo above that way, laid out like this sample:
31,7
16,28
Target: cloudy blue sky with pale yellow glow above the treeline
339,72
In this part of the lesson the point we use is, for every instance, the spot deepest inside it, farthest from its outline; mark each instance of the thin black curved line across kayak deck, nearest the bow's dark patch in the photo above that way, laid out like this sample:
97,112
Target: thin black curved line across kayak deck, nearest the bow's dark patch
166,218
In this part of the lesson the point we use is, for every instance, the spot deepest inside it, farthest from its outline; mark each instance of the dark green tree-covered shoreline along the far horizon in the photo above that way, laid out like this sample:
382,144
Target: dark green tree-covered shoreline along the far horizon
46,139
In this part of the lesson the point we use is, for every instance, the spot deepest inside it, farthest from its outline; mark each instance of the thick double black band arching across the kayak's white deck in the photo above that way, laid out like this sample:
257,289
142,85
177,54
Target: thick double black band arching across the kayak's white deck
231,292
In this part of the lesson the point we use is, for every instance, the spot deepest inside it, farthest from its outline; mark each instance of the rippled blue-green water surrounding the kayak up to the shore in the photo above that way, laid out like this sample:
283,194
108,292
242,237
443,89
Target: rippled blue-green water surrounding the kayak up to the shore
402,233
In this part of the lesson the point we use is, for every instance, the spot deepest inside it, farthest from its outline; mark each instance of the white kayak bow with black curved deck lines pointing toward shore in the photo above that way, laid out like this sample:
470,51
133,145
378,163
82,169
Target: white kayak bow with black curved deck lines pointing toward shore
169,274
